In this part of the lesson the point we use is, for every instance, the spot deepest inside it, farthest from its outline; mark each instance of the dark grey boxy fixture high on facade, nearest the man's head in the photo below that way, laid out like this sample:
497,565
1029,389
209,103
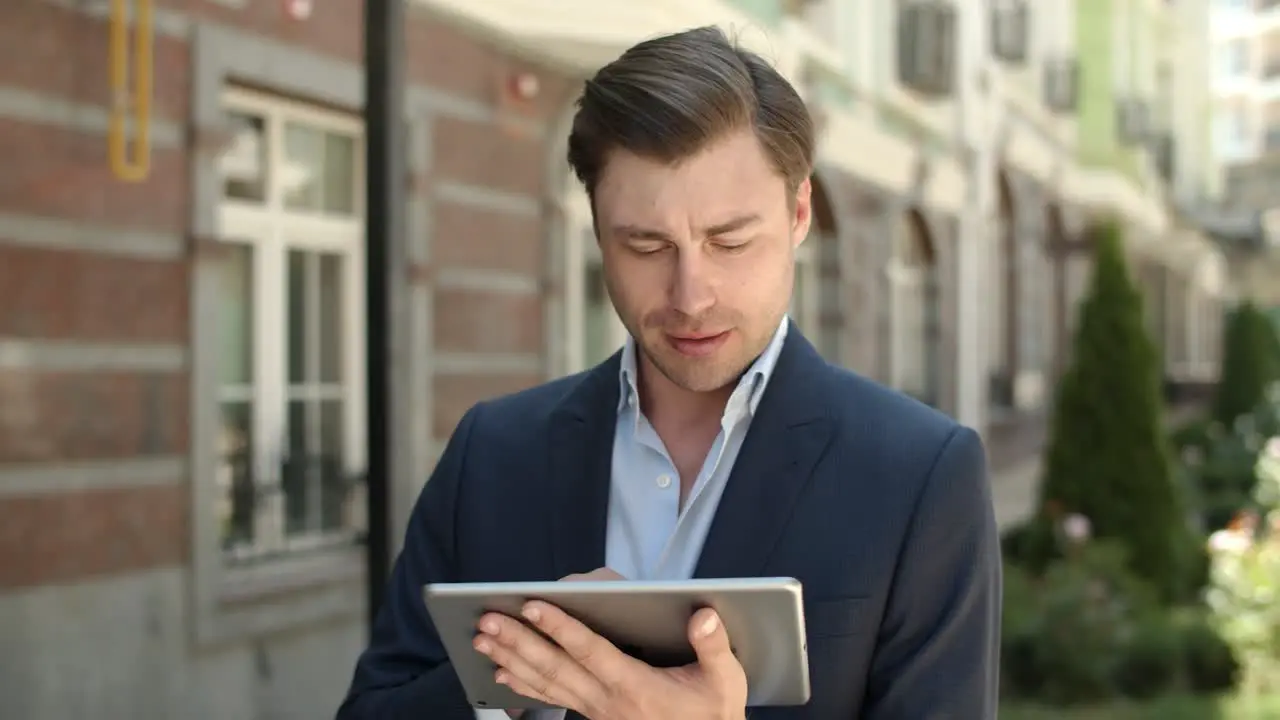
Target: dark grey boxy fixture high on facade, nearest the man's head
927,47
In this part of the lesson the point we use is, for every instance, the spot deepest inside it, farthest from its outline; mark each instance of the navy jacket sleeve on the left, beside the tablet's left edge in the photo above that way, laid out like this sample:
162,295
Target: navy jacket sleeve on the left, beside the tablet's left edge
405,673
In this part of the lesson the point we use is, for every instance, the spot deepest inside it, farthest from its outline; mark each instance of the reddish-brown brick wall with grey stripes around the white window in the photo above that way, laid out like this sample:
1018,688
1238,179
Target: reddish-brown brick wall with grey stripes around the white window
98,323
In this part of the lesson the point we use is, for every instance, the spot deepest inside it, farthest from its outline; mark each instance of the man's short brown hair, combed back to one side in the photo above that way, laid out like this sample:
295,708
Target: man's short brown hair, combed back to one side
669,98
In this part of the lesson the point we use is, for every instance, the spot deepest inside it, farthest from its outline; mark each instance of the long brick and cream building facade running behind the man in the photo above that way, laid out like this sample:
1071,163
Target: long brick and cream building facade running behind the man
182,400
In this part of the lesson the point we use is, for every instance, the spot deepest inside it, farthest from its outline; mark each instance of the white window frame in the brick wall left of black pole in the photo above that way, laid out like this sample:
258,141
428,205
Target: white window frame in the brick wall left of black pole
273,231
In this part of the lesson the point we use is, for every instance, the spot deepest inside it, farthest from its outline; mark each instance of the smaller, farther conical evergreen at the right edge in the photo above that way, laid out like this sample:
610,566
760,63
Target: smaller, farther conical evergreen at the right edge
1251,363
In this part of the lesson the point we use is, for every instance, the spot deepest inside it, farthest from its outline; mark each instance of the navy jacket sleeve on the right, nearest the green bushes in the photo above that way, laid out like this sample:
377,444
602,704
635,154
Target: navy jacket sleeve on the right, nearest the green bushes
939,651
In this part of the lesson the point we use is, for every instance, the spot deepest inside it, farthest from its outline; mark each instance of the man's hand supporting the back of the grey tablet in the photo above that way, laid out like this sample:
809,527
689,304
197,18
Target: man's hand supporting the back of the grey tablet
586,673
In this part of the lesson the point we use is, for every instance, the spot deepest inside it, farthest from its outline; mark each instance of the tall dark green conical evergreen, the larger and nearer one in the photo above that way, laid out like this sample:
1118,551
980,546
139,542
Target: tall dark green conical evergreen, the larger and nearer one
1109,458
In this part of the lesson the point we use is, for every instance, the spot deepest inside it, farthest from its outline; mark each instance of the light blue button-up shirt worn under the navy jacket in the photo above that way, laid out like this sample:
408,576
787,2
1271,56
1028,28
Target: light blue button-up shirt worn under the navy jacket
650,536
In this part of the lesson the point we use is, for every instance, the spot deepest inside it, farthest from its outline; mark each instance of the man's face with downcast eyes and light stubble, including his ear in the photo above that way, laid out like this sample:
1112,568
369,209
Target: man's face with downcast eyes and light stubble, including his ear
700,257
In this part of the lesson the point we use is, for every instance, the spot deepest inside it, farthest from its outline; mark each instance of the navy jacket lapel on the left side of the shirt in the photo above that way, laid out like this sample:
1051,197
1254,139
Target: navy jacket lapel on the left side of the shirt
582,459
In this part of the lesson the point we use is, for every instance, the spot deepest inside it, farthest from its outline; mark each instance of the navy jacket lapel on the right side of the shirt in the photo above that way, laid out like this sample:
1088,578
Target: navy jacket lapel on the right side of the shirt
789,435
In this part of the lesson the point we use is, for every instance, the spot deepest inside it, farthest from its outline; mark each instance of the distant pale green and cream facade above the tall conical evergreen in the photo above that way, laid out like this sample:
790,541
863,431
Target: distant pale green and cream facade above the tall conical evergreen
1142,120
